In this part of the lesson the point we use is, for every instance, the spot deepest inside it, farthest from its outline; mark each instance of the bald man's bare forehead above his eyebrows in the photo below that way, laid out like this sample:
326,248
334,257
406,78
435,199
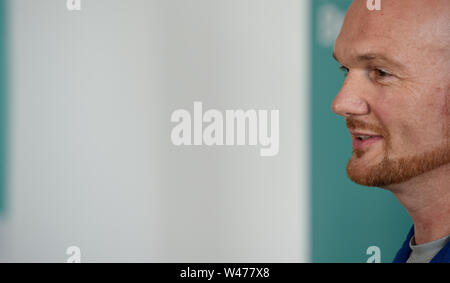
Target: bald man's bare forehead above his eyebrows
402,29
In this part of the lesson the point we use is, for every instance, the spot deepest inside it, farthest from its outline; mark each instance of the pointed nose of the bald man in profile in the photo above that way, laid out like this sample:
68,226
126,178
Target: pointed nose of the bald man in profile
350,99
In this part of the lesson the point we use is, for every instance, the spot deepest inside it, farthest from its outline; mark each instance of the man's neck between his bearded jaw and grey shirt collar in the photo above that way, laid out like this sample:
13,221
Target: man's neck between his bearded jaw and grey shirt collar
427,200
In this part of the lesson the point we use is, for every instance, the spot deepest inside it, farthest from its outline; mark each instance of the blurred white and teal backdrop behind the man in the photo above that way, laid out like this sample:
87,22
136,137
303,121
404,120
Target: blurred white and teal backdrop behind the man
85,152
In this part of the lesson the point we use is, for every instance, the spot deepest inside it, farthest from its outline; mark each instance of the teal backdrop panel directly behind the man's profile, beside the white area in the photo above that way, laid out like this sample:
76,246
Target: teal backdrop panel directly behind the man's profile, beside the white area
346,218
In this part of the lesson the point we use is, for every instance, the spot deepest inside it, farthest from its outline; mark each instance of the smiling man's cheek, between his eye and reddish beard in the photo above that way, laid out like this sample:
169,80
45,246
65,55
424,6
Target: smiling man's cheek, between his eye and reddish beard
415,117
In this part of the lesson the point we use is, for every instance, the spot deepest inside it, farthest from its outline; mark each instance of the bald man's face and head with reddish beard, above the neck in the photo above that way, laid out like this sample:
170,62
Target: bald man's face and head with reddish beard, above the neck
396,96
